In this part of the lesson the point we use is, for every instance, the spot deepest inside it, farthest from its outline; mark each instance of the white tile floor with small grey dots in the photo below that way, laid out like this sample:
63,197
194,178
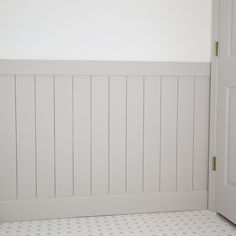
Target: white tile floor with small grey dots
155,224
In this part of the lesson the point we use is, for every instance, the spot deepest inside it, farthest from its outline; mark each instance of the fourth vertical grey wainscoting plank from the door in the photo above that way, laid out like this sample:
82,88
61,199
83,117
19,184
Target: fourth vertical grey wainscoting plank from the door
152,112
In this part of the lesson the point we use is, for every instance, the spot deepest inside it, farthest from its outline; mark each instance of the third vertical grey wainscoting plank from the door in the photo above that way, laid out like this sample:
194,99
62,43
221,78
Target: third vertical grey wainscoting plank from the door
168,133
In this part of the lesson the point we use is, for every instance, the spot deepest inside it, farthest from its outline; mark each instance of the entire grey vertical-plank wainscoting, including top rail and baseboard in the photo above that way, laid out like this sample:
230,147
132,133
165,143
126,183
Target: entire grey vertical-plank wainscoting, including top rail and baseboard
133,136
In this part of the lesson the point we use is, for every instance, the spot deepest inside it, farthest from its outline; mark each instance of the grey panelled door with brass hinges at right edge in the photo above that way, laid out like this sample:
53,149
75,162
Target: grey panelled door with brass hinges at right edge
226,113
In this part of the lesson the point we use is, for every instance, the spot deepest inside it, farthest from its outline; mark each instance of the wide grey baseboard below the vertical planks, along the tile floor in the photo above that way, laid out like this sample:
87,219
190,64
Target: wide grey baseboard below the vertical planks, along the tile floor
18,210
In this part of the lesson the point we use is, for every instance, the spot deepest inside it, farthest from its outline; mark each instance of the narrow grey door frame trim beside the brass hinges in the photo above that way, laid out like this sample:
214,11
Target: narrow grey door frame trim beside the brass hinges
213,103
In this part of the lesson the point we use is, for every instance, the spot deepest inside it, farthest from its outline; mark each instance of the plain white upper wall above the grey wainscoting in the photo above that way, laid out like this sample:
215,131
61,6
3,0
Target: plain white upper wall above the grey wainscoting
154,30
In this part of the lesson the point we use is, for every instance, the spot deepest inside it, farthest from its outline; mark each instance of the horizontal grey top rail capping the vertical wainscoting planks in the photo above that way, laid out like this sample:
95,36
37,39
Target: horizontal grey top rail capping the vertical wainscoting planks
73,67
